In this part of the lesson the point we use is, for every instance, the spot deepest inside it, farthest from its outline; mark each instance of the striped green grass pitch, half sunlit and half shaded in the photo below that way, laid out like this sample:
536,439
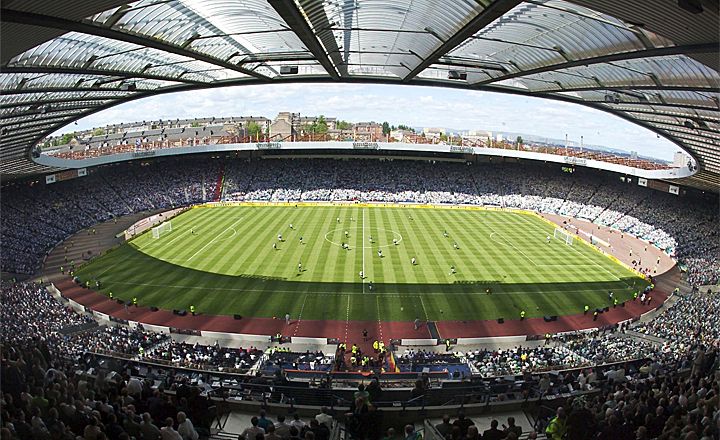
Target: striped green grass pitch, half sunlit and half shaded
230,267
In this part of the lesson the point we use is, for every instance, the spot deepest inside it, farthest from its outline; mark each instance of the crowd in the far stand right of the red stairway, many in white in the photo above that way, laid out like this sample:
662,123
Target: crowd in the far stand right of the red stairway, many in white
660,218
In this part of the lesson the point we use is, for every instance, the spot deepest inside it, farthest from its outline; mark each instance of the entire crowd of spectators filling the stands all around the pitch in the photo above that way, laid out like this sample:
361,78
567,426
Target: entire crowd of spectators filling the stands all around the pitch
44,397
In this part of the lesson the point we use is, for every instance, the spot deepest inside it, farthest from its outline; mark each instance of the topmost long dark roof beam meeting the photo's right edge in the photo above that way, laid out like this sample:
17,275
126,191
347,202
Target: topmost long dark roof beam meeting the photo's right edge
648,53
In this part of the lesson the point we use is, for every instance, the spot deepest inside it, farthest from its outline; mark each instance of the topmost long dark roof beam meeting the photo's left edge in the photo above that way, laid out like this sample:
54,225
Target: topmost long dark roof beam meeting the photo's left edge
13,16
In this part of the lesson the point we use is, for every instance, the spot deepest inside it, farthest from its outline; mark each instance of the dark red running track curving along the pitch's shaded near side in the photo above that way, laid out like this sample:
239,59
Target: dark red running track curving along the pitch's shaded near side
351,331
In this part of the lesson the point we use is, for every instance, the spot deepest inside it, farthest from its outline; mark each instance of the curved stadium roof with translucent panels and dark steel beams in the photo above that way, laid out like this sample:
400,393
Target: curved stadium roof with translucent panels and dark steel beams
653,62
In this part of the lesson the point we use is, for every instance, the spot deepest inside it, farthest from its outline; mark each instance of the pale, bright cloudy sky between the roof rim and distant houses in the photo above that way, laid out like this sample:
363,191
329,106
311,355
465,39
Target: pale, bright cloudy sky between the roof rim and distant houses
410,105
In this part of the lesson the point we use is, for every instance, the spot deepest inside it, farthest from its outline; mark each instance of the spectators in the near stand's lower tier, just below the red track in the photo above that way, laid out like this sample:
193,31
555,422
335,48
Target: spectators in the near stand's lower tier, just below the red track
30,312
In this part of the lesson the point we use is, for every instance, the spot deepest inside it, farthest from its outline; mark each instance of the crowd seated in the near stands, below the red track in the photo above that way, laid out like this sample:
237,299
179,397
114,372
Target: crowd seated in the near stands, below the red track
46,397
